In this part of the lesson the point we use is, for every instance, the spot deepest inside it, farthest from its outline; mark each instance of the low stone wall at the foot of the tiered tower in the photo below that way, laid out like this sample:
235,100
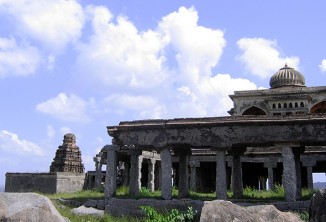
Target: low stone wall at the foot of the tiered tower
44,182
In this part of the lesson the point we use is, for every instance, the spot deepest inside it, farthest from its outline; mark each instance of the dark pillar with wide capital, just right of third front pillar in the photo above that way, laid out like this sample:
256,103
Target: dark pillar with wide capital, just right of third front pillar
237,185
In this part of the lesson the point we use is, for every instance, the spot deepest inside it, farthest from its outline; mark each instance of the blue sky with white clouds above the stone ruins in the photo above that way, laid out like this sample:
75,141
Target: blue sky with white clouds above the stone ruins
77,66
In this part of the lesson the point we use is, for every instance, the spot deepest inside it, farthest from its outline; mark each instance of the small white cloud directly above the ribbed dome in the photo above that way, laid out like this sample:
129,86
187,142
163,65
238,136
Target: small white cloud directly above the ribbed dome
261,57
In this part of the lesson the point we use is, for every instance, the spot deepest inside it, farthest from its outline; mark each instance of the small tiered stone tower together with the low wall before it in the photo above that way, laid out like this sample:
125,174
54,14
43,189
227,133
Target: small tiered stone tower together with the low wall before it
66,173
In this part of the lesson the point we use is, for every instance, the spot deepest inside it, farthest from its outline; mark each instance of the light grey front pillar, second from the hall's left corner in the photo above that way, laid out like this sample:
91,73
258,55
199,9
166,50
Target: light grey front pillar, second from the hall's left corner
166,166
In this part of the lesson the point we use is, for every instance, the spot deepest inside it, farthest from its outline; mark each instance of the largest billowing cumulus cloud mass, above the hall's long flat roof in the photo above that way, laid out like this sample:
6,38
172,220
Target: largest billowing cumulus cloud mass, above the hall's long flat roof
155,73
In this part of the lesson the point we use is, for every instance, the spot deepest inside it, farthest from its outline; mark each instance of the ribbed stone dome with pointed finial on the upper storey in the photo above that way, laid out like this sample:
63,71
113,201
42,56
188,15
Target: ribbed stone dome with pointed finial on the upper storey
287,76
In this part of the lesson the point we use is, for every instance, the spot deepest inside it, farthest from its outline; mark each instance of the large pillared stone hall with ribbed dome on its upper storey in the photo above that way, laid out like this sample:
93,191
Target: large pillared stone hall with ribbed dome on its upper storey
277,133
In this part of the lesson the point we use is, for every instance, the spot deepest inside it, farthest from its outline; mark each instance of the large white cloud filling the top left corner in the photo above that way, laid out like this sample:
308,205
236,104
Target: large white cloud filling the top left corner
53,22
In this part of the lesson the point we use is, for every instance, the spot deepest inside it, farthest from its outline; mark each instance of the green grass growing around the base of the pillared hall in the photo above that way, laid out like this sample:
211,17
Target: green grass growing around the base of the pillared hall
123,192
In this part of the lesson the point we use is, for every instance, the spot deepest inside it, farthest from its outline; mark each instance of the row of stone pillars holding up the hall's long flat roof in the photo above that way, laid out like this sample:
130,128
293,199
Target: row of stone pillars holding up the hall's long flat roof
291,173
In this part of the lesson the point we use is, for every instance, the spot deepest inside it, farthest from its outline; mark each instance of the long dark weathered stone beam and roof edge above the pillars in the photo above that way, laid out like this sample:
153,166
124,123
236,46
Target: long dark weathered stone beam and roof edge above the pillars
221,131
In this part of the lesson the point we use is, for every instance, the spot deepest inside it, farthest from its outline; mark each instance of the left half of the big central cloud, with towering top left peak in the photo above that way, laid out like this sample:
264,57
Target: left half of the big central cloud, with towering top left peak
120,54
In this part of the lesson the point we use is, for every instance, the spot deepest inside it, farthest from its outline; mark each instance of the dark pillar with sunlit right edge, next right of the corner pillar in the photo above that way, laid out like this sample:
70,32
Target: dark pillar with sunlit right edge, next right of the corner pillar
135,172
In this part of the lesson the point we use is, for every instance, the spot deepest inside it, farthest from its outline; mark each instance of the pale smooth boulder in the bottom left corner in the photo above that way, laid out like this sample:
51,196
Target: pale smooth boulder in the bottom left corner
27,207
